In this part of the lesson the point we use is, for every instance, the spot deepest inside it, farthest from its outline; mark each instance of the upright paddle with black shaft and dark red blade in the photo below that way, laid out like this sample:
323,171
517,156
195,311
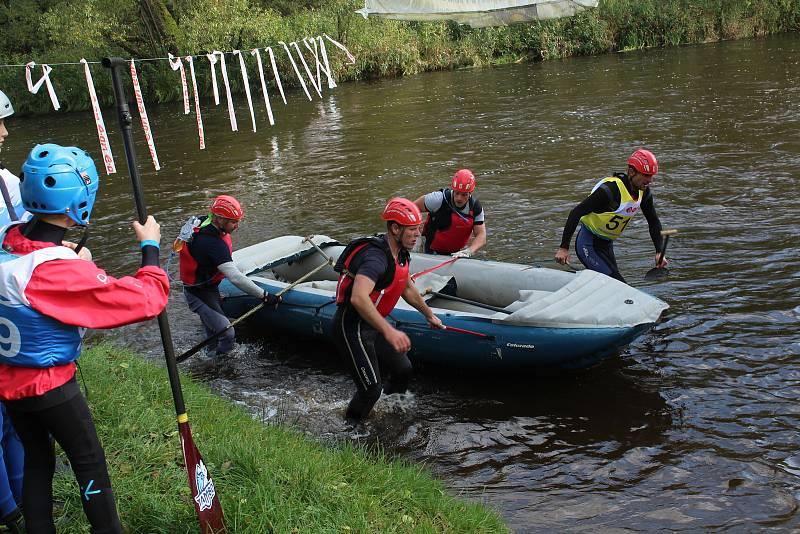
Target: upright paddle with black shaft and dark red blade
201,487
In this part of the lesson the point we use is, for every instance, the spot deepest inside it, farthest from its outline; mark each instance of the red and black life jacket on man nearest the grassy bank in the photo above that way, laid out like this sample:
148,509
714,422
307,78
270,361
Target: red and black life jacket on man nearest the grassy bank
389,287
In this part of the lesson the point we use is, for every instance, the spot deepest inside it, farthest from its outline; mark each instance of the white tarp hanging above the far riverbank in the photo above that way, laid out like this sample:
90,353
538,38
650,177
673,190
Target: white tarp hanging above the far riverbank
476,13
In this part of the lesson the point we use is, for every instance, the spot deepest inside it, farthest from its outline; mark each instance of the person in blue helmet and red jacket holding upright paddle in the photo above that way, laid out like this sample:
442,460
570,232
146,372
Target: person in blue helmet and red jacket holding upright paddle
48,296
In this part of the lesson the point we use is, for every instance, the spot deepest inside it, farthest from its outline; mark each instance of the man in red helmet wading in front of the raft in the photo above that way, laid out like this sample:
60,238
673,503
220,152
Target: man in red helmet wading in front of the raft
374,274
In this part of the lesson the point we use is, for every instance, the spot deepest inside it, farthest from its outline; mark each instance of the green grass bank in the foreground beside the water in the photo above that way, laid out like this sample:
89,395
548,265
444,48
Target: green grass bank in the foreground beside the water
270,478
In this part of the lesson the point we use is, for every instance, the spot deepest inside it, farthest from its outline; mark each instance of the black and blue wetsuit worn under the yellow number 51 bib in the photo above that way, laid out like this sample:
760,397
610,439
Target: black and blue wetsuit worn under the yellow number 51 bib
595,252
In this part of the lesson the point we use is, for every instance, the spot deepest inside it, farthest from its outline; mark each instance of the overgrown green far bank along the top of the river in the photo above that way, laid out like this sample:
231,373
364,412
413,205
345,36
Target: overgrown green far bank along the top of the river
61,30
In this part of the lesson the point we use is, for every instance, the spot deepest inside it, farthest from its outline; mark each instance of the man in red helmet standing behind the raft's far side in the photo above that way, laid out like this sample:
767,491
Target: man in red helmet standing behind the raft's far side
455,217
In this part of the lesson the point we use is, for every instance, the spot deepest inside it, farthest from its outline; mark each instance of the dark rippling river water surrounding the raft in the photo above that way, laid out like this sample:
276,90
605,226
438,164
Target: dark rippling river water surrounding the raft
694,427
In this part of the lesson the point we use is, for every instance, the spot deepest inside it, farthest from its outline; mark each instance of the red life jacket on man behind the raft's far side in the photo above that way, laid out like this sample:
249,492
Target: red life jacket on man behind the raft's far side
447,231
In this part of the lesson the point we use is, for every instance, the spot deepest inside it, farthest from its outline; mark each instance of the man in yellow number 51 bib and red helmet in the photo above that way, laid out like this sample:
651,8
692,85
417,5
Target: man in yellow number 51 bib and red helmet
606,212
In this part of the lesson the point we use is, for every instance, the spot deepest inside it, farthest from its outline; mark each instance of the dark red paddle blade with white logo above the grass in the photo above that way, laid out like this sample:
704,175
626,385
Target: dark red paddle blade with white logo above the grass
204,495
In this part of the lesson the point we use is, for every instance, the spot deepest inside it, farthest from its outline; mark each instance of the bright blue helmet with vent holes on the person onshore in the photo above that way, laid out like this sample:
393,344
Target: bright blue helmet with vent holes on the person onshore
59,179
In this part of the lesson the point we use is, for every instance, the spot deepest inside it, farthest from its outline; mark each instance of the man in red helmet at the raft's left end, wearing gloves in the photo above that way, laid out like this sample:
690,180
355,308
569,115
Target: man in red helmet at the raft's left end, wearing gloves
205,260
